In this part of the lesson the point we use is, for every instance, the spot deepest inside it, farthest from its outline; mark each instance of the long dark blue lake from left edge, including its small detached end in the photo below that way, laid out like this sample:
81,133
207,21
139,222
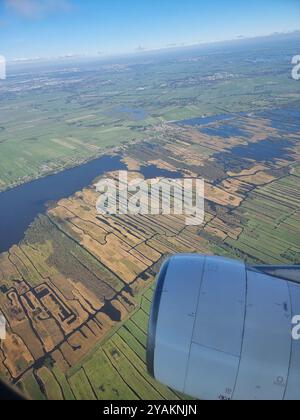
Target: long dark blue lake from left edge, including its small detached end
21,205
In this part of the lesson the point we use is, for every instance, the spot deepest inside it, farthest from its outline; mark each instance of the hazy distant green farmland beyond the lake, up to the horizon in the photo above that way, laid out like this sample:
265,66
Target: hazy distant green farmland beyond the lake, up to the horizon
59,116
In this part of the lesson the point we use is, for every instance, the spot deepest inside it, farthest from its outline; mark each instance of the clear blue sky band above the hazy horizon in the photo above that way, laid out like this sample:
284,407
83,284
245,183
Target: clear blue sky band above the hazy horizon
51,28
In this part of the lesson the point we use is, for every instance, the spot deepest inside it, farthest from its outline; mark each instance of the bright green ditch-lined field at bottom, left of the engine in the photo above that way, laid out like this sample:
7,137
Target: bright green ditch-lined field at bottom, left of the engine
115,370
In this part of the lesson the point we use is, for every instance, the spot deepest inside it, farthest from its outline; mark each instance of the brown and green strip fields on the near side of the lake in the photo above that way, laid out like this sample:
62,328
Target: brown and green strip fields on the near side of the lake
77,291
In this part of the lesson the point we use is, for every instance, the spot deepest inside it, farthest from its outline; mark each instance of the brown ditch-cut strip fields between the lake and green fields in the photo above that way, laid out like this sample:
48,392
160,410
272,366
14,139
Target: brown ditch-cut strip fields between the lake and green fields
78,276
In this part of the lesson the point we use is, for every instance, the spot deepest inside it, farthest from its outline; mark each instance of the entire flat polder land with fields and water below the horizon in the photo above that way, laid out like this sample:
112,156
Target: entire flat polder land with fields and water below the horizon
75,286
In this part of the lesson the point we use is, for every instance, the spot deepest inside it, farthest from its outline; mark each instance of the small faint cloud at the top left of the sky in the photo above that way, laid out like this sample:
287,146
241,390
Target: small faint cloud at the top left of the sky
37,8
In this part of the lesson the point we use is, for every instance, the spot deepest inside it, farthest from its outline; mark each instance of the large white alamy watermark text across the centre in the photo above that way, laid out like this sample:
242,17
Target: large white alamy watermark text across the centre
137,196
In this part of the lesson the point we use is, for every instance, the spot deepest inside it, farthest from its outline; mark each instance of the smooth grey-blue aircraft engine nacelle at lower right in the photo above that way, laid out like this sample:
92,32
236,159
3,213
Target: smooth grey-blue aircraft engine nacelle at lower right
222,330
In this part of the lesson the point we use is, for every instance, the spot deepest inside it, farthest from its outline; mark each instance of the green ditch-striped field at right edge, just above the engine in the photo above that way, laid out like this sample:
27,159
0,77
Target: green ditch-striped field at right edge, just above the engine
272,232
